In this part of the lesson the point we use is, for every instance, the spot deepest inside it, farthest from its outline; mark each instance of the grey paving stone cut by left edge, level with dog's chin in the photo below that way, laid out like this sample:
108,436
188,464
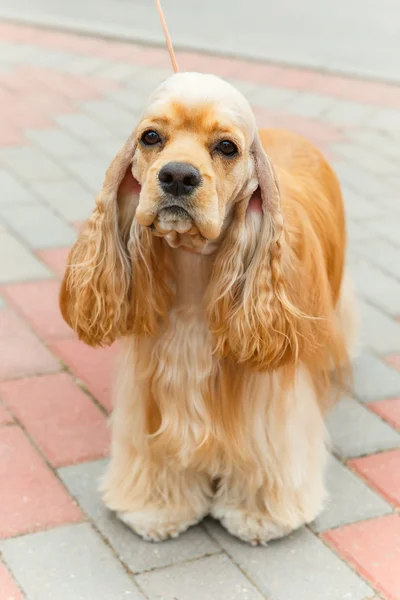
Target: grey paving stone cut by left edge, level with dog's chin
38,226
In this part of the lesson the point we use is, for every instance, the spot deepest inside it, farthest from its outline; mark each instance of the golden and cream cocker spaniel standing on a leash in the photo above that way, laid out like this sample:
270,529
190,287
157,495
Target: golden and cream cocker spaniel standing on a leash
215,254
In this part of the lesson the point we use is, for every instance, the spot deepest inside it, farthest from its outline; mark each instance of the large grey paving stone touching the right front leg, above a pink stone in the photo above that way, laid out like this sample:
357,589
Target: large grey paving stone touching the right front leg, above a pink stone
356,431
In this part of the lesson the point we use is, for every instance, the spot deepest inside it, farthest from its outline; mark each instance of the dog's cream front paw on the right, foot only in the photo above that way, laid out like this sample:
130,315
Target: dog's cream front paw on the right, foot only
251,527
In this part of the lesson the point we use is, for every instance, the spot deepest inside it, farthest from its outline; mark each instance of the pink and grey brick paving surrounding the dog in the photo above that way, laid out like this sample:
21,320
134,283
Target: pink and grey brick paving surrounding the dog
67,104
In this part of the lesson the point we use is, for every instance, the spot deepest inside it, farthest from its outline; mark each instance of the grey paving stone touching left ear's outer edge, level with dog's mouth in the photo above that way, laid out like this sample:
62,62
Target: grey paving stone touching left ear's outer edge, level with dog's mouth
68,198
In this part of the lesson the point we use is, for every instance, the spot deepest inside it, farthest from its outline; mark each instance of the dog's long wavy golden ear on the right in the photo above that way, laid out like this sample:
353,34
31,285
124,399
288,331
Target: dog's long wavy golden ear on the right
253,311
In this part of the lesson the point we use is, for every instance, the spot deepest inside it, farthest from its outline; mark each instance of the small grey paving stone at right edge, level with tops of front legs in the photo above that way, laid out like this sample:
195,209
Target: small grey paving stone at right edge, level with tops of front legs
374,379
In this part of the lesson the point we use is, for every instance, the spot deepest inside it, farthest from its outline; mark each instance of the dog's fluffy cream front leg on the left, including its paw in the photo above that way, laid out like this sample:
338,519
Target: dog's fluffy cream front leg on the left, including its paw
157,498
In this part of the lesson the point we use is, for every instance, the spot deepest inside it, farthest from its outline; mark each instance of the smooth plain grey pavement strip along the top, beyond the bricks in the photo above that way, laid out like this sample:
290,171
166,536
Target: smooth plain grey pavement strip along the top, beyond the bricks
357,37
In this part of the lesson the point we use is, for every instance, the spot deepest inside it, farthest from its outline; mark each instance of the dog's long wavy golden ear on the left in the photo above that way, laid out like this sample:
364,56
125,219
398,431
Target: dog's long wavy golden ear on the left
94,297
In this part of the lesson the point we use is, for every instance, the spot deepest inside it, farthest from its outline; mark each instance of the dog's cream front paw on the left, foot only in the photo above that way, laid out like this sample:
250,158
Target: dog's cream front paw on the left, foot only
156,525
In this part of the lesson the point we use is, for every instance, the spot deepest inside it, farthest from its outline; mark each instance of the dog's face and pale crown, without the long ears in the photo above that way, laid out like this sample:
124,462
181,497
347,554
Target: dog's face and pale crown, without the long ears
194,158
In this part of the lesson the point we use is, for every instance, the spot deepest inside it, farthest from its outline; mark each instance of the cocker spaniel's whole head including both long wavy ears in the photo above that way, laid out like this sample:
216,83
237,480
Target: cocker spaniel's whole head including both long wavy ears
197,162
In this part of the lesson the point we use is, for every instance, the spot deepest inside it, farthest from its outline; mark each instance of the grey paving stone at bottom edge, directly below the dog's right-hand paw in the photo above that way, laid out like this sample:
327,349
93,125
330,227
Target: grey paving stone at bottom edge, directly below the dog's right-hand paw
298,567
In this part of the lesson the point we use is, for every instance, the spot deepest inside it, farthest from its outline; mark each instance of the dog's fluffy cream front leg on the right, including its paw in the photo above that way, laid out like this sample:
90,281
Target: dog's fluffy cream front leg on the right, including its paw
285,488
